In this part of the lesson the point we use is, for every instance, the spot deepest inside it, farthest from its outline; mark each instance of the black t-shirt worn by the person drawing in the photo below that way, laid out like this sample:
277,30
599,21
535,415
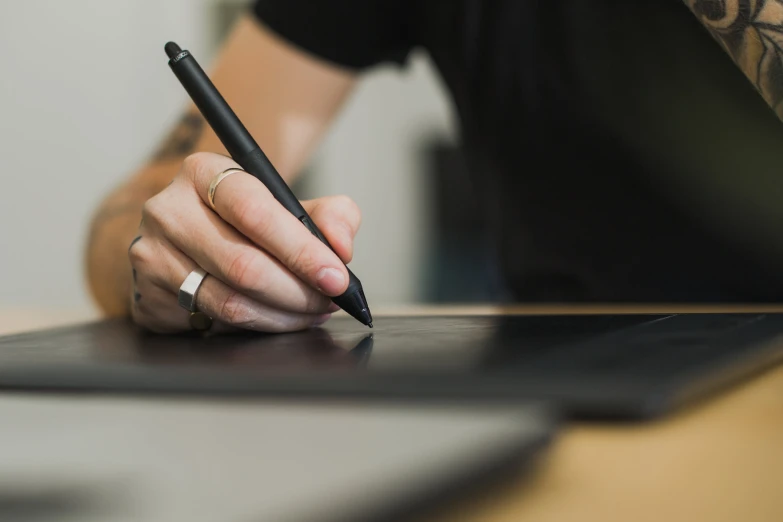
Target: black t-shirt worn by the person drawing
607,137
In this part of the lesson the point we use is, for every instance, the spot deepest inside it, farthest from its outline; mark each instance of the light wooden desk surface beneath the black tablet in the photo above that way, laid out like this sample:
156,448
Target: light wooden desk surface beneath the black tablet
719,461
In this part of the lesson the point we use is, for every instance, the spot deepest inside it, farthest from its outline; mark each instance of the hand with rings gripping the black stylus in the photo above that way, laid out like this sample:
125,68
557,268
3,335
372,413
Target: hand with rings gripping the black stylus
266,271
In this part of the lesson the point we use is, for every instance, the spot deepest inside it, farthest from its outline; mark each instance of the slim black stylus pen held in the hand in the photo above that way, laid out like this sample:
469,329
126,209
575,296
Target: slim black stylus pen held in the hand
245,151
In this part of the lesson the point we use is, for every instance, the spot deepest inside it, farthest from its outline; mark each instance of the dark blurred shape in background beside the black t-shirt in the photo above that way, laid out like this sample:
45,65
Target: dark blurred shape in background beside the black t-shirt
461,266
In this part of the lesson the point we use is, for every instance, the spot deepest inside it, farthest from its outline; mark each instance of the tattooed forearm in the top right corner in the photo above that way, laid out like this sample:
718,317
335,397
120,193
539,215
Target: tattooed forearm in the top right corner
751,32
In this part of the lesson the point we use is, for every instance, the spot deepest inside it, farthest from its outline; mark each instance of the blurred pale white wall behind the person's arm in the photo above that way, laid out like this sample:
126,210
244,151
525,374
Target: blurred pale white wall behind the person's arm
85,94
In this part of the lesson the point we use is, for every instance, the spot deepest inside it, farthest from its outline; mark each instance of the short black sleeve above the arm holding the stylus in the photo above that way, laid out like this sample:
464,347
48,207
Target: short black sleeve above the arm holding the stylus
355,34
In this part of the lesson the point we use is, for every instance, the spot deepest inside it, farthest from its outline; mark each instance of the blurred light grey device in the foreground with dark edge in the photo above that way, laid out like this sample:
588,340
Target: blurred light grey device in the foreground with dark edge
115,459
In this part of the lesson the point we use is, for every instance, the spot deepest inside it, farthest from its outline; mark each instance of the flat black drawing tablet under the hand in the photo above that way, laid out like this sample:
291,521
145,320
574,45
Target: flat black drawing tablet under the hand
606,366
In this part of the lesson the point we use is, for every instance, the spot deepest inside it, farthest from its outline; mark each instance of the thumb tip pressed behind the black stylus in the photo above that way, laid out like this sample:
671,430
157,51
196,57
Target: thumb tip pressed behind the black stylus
338,218
